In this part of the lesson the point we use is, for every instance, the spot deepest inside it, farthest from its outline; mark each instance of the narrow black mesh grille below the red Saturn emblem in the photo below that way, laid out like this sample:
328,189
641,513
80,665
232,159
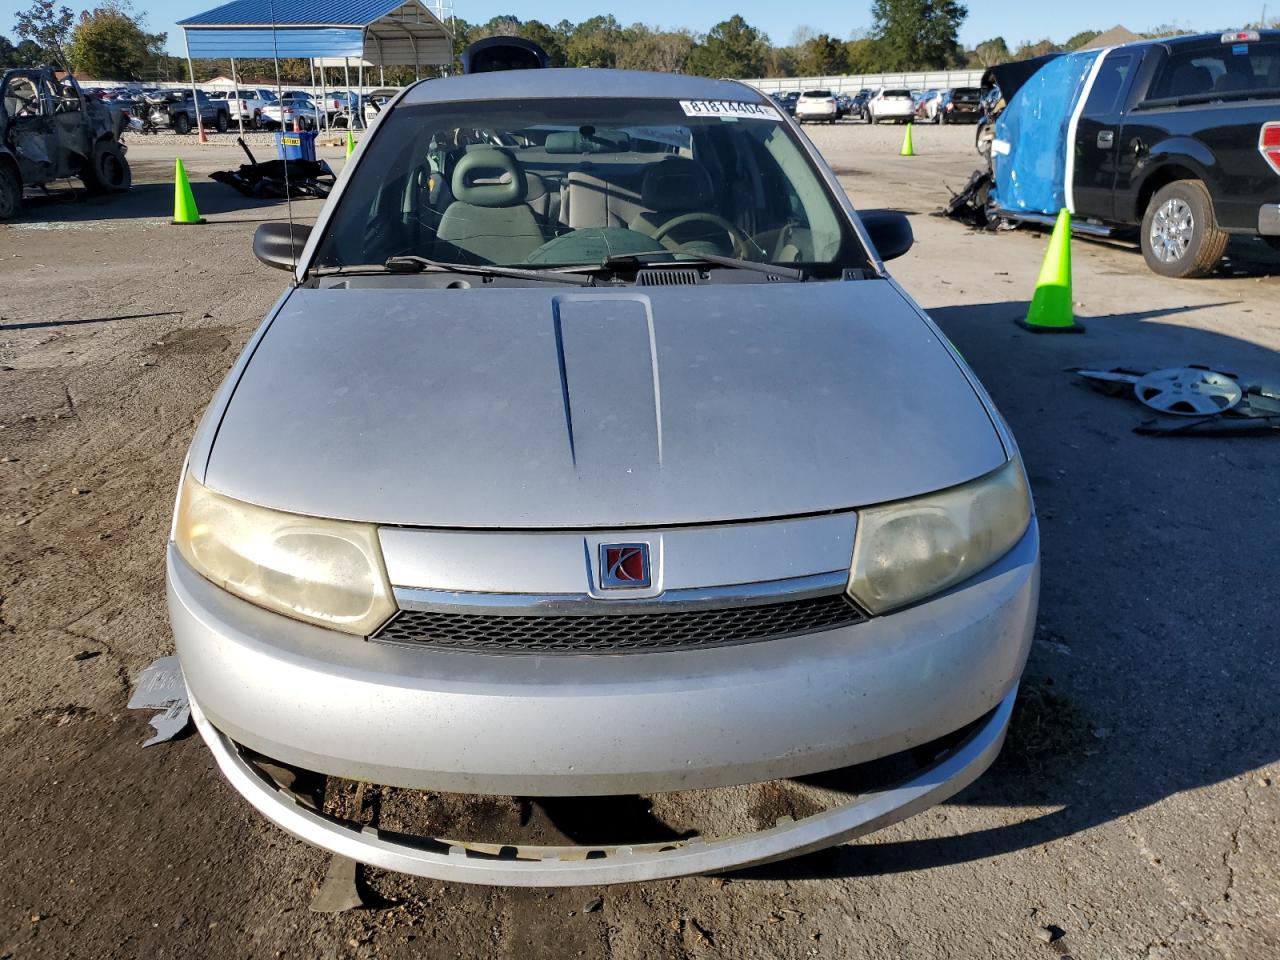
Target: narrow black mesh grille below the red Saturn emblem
620,633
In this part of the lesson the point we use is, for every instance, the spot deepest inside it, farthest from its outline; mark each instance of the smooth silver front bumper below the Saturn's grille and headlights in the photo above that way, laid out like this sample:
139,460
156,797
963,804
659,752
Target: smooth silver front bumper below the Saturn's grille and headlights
579,726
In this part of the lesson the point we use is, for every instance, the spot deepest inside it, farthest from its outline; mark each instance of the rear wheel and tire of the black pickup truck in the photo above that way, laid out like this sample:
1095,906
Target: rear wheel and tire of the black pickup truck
1180,232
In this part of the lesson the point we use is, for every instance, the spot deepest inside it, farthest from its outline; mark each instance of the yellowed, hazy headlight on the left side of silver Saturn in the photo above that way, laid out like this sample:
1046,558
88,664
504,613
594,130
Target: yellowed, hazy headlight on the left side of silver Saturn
322,572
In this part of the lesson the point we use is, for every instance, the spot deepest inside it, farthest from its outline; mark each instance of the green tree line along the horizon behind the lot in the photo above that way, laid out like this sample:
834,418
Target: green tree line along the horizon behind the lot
112,42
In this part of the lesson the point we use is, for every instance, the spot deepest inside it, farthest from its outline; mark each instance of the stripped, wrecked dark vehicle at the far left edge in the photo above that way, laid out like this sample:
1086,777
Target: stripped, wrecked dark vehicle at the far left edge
51,131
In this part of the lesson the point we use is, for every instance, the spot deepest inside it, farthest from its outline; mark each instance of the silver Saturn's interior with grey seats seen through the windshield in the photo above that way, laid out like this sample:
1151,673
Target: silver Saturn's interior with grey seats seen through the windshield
559,196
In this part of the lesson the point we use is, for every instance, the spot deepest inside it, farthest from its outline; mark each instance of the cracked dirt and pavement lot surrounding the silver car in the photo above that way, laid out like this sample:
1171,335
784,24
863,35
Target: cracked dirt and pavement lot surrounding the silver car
1136,816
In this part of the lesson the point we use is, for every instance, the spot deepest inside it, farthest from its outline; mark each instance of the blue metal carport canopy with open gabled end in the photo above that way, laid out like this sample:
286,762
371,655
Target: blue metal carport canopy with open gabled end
380,33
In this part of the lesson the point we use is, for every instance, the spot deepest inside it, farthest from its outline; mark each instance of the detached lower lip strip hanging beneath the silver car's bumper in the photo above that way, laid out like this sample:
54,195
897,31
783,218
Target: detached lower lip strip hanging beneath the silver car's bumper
583,866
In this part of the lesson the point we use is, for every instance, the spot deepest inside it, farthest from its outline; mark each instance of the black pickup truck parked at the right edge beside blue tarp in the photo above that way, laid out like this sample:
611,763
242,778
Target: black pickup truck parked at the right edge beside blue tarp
1180,139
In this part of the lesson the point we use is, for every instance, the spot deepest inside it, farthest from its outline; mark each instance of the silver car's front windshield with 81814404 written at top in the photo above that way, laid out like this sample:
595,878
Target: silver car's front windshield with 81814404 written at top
570,182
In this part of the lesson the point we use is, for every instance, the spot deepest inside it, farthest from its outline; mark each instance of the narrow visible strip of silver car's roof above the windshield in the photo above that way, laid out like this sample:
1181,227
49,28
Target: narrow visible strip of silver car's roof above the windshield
572,83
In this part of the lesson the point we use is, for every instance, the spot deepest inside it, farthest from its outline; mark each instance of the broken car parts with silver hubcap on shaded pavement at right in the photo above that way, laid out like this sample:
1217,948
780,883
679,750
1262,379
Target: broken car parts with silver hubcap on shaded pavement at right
1206,400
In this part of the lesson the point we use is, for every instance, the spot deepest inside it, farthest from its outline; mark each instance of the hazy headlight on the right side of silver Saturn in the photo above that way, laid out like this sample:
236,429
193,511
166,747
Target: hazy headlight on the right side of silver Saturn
912,550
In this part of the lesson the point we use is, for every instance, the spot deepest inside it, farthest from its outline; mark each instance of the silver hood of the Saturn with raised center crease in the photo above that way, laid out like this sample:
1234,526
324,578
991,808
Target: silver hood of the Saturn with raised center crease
540,408
